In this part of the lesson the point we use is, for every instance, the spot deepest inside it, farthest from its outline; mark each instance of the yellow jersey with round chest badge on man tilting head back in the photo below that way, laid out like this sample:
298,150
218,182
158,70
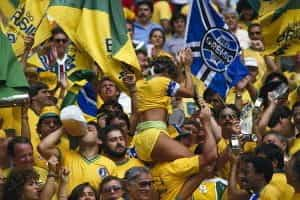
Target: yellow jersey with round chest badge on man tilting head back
83,170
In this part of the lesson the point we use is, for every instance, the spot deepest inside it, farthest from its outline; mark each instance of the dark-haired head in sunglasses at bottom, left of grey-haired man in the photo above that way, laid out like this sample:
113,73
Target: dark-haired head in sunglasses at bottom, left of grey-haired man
111,188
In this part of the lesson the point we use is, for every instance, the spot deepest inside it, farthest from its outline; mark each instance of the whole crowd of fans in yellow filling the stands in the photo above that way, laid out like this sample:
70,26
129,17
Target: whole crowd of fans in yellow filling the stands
176,139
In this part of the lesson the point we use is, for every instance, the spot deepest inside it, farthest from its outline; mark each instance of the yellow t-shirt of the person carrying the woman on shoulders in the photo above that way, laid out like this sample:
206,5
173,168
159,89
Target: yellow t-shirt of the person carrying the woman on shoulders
169,177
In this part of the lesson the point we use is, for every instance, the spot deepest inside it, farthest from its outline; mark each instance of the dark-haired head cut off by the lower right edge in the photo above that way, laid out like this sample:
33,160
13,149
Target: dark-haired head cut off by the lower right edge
293,174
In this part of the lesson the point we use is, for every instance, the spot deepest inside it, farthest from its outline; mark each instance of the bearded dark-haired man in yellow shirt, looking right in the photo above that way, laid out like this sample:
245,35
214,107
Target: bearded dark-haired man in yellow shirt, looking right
114,147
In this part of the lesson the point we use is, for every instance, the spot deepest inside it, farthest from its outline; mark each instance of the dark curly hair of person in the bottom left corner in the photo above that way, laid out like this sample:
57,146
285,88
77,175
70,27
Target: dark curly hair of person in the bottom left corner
14,185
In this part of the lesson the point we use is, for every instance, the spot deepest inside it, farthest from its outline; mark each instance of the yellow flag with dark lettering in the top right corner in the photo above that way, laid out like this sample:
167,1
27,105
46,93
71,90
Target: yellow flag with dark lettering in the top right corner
281,30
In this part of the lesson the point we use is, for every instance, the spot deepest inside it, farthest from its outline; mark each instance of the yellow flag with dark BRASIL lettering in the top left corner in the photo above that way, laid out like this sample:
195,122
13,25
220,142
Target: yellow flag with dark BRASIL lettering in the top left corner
28,19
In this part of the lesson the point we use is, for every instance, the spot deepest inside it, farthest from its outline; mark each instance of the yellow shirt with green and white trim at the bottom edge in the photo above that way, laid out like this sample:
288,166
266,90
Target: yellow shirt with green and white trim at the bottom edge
210,189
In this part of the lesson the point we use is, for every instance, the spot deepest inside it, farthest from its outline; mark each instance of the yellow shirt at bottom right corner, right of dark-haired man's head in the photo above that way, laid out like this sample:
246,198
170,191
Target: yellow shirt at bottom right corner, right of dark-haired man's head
277,189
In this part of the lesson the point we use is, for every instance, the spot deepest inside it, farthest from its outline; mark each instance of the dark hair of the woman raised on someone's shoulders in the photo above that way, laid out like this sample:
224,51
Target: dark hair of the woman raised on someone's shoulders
163,64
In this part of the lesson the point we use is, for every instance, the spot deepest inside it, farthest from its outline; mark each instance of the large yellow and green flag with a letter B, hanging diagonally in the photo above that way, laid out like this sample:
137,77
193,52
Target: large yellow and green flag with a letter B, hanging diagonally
98,27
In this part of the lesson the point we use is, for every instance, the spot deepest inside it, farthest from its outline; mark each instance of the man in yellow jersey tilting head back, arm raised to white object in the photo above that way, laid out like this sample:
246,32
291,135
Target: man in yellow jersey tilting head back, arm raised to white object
85,164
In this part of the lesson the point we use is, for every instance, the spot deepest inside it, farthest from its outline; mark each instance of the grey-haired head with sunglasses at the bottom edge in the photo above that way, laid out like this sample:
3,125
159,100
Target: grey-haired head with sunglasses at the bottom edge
139,184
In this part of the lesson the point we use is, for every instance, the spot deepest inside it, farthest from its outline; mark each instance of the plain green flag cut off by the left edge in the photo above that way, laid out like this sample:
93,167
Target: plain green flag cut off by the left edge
12,78
